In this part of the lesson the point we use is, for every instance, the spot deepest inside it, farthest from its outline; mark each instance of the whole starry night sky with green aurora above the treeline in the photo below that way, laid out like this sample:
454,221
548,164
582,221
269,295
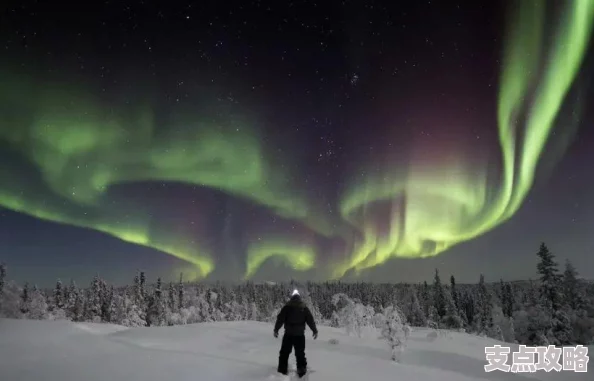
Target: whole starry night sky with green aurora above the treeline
370,140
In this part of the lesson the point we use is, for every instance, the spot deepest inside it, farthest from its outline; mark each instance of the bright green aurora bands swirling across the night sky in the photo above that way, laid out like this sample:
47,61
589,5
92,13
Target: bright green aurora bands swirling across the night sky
81,147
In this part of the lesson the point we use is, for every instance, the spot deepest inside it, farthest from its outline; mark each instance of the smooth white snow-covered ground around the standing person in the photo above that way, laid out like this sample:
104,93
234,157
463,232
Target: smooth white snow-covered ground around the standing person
228,351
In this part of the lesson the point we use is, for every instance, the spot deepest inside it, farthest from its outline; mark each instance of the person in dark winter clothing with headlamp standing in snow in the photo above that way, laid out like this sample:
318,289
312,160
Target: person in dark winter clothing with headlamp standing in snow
294,315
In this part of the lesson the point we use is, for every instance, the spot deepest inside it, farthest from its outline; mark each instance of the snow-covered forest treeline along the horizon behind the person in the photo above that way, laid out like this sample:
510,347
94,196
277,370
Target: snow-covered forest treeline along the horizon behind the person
557,308
